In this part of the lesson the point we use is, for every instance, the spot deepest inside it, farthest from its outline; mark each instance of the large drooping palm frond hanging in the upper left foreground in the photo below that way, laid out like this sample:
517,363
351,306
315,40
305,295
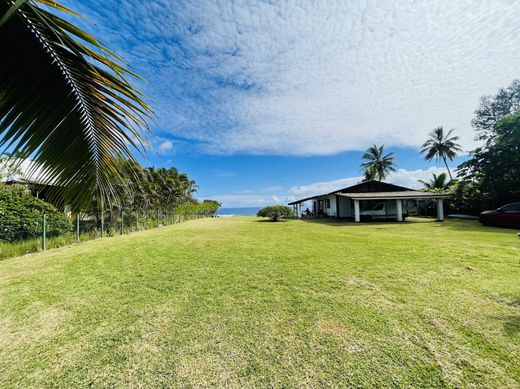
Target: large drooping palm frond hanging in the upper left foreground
65,101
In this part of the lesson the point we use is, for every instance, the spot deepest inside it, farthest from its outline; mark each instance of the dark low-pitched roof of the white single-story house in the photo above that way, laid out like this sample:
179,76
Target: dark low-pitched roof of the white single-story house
374,190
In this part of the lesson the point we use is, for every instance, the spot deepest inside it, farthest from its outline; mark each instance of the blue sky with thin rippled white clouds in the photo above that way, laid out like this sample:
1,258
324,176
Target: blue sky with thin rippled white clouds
264,101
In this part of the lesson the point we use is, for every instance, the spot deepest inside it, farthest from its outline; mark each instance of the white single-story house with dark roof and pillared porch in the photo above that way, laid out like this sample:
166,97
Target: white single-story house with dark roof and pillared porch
368,200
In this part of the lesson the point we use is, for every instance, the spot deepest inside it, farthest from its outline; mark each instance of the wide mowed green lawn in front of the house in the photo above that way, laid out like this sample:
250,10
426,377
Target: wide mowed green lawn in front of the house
236,302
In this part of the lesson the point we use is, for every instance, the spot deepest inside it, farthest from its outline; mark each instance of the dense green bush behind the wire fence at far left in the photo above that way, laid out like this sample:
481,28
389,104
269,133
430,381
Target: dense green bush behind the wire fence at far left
21,215
